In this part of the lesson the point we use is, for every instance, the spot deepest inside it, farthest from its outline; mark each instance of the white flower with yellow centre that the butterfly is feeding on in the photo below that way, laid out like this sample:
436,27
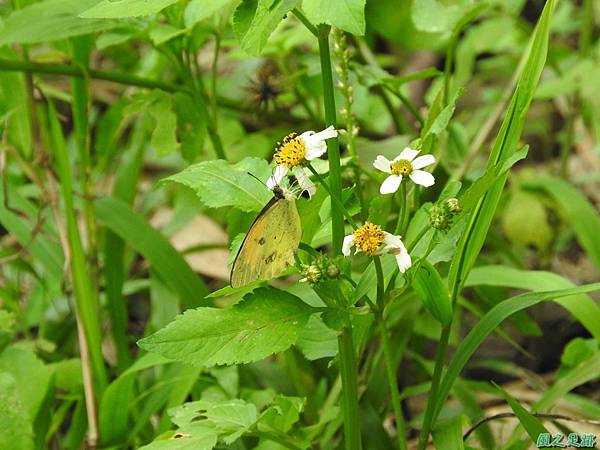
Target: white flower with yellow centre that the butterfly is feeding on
292,153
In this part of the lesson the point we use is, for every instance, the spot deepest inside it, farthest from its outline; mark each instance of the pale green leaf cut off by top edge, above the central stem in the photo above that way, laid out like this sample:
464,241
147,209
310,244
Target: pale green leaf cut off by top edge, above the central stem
348,15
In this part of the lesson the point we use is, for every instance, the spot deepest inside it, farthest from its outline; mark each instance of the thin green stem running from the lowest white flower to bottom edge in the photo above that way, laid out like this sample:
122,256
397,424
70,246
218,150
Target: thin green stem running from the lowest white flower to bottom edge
387,355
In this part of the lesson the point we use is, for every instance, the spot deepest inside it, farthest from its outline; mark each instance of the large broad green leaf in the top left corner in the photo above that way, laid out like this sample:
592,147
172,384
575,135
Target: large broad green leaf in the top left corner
50,20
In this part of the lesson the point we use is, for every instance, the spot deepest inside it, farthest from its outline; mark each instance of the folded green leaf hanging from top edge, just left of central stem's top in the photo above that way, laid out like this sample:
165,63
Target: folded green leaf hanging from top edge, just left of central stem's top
255,20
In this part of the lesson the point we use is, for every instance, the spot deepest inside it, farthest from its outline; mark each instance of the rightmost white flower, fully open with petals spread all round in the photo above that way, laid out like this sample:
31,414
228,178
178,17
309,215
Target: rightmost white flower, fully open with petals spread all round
406,163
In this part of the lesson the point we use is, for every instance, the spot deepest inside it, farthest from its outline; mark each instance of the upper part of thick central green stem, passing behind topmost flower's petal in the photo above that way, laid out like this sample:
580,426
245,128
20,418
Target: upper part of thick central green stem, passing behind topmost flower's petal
333,144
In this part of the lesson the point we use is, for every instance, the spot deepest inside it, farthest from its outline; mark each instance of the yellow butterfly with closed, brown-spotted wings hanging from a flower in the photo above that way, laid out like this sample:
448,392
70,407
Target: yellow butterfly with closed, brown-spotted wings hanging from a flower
270,243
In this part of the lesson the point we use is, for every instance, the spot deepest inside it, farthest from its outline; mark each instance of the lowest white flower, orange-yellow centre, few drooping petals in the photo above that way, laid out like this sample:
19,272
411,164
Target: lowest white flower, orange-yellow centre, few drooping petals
372,240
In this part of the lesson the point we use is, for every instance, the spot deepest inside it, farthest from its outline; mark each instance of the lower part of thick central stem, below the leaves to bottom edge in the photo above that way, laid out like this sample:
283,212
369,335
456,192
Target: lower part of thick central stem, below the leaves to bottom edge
348,369
